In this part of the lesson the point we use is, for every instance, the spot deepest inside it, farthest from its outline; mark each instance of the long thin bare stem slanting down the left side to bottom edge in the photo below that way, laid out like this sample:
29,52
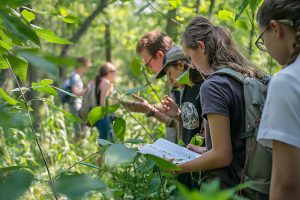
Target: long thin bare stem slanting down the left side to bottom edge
31,127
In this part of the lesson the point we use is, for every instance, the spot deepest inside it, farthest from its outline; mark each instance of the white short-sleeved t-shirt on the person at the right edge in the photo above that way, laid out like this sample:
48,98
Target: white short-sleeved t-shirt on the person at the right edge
281,115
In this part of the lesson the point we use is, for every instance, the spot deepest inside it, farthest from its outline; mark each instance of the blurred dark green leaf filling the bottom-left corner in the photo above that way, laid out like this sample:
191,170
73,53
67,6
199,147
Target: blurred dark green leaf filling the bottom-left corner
13,183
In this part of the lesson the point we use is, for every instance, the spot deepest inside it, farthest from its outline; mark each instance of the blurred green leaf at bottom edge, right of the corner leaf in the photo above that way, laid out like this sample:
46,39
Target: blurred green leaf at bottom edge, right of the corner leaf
75,186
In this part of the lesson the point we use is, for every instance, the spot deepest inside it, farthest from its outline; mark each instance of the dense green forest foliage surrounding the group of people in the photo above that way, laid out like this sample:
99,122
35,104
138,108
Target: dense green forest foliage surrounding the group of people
39,158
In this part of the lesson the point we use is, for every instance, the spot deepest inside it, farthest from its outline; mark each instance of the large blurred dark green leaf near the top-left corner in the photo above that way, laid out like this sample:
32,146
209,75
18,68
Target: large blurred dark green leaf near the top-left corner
19,30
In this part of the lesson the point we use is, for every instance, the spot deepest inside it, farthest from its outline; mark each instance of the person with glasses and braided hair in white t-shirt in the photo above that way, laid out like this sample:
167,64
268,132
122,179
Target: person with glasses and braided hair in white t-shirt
279,24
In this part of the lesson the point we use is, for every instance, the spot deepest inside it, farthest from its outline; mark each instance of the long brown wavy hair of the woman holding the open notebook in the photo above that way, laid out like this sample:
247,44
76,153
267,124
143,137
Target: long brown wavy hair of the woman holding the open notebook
219,46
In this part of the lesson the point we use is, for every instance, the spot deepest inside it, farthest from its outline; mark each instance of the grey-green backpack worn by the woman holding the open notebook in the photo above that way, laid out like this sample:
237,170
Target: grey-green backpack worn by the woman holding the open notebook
258,163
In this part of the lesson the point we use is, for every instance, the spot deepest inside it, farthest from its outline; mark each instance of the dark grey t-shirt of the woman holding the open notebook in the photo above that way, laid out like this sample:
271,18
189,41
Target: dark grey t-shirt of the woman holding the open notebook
221,94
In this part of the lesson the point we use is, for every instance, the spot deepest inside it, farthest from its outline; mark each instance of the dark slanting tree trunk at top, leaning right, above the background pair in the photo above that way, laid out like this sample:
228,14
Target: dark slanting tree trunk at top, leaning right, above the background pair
85,25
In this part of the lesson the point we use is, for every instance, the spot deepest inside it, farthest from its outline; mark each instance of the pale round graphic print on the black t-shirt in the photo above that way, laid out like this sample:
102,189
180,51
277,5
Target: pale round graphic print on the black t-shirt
189,116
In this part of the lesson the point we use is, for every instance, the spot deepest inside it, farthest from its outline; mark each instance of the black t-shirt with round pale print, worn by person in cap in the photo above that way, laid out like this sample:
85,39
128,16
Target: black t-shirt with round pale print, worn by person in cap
190,112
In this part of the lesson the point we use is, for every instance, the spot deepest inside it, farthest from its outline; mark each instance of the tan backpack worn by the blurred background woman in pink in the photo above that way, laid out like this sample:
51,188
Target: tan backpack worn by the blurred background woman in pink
89,102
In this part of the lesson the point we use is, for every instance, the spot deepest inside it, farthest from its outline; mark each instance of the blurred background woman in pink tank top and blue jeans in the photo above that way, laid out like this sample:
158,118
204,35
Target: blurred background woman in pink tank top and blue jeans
104,86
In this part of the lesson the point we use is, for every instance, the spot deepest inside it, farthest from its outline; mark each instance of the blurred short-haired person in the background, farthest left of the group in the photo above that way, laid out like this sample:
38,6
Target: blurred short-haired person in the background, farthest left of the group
77,88
